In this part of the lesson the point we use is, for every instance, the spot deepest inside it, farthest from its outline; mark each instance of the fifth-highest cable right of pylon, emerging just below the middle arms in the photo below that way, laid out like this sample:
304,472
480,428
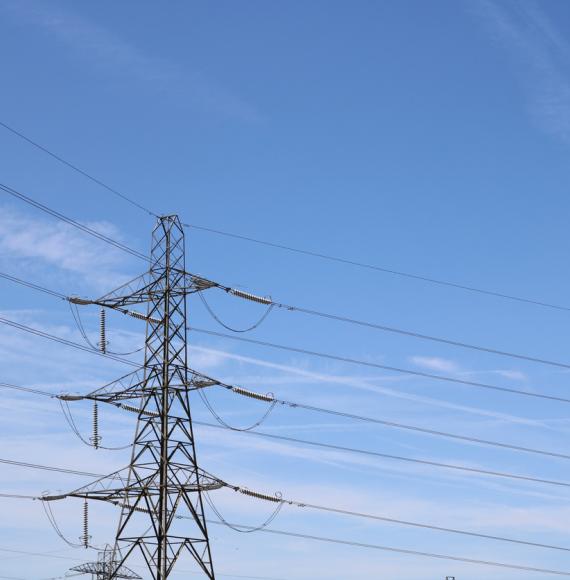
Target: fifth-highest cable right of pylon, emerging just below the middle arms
450,466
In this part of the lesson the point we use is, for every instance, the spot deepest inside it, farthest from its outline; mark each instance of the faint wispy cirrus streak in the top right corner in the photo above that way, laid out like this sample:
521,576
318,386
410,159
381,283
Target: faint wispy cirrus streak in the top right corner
541,55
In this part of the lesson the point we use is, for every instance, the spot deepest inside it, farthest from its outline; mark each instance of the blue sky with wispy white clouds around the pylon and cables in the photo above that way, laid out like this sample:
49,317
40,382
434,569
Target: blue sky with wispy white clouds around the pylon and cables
427,137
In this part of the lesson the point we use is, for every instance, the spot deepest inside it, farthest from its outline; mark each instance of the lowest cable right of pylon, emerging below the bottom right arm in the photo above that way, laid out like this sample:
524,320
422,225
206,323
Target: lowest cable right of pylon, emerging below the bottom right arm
402,550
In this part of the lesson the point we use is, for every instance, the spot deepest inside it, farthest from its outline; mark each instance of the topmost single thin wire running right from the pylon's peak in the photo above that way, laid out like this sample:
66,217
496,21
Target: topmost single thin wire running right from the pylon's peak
376,268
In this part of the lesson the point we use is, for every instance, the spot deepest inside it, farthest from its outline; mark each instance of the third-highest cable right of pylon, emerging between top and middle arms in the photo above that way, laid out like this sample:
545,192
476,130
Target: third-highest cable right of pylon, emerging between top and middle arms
370,364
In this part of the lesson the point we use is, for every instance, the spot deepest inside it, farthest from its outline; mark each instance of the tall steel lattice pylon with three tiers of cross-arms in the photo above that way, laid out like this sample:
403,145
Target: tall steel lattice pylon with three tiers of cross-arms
163,478
